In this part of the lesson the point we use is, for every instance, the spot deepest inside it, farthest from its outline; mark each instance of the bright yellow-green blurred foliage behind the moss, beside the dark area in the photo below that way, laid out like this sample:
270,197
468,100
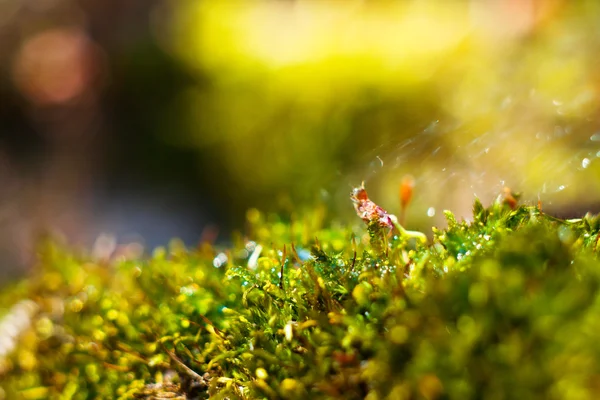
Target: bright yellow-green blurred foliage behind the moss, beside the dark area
292,97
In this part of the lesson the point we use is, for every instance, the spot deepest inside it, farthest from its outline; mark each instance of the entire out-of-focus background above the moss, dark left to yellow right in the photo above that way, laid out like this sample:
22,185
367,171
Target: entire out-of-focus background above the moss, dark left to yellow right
145,120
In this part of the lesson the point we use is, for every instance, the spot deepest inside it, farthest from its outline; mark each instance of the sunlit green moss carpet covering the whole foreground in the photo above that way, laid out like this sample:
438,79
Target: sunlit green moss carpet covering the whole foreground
503,307
